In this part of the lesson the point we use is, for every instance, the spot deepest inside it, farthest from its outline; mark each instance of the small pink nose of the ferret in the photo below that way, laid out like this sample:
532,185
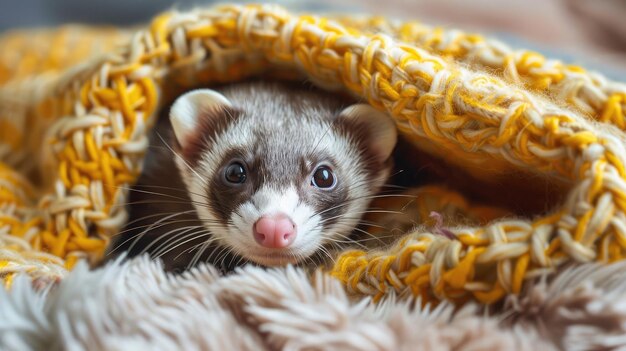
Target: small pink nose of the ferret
275,231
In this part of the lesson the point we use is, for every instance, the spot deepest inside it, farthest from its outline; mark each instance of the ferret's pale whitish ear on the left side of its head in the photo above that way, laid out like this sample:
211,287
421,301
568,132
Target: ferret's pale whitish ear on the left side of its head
187,110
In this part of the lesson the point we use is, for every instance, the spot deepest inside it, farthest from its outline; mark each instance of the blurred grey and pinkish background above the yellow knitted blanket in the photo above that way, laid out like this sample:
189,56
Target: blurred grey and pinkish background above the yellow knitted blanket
587,32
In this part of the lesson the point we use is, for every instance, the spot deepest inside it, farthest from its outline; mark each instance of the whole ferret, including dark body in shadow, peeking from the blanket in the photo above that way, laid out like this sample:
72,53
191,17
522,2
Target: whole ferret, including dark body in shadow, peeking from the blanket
256,172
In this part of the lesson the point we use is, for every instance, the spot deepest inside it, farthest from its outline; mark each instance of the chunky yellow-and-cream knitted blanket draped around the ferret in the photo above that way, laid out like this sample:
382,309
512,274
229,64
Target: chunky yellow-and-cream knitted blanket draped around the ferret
74,121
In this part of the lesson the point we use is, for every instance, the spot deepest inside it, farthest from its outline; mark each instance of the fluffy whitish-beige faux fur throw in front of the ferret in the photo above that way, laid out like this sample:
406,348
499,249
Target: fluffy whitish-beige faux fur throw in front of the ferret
135,306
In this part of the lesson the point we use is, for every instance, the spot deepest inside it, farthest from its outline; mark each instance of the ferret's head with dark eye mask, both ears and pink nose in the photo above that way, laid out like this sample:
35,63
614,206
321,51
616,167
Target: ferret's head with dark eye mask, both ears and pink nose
274,174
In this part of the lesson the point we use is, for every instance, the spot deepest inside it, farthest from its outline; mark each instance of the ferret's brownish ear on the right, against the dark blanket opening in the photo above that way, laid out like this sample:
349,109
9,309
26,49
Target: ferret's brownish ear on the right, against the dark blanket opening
379,125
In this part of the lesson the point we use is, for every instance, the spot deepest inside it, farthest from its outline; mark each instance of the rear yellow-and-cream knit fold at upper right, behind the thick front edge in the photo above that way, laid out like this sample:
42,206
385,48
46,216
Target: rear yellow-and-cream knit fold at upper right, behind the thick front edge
588,92
